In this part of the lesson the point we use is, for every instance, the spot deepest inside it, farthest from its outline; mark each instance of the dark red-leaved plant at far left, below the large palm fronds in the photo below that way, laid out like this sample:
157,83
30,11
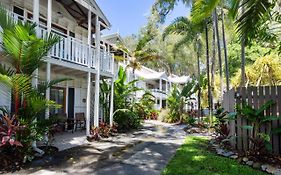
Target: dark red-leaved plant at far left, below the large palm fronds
8,129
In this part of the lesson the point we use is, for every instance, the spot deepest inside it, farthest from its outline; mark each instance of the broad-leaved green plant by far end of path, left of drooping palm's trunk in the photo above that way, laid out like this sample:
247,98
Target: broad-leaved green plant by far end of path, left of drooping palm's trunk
178,98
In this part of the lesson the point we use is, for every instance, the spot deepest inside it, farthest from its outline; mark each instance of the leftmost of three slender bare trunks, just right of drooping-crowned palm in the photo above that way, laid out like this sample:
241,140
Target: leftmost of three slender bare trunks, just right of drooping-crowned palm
208,71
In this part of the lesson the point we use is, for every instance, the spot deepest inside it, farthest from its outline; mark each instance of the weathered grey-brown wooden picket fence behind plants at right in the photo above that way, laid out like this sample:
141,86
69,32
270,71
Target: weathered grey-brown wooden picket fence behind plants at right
255,97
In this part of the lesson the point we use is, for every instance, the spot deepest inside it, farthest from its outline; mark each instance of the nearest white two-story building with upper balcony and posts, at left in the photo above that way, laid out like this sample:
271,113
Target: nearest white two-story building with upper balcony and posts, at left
79,55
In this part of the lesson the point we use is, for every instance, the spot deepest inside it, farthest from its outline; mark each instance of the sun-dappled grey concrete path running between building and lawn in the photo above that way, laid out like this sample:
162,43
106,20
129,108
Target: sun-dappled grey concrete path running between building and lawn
144,152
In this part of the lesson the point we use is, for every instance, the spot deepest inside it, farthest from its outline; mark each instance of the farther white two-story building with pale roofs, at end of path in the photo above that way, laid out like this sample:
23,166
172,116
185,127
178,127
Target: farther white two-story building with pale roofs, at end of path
158,83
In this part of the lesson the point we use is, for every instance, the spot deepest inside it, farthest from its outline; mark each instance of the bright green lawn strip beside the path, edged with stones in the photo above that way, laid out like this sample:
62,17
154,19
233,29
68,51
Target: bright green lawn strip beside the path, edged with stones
193,158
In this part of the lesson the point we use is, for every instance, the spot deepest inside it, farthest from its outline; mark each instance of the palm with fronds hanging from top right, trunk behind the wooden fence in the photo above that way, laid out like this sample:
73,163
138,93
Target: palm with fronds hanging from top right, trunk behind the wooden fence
248,17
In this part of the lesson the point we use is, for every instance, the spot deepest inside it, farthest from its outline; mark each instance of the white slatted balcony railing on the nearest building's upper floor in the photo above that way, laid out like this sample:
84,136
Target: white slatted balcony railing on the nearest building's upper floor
75,51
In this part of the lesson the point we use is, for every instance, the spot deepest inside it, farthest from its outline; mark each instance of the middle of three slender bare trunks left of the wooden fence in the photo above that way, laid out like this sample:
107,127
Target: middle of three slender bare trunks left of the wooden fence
219,50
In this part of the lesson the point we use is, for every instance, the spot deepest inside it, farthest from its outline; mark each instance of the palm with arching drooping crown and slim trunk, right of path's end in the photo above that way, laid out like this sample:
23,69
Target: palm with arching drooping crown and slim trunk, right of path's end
191,34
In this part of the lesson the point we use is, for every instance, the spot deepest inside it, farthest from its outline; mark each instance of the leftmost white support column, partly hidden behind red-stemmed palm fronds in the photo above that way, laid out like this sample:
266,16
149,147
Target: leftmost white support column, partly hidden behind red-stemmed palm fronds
36,7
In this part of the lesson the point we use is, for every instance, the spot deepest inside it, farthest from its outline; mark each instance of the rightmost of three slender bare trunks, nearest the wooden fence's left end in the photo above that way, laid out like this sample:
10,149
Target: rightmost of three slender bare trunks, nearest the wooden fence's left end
225,51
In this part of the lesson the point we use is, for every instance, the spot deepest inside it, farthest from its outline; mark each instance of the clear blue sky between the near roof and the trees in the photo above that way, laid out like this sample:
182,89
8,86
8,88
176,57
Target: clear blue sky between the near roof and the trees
128,16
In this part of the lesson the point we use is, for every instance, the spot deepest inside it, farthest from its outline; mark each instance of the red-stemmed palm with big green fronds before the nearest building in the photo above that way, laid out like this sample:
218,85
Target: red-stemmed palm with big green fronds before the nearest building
22,48
